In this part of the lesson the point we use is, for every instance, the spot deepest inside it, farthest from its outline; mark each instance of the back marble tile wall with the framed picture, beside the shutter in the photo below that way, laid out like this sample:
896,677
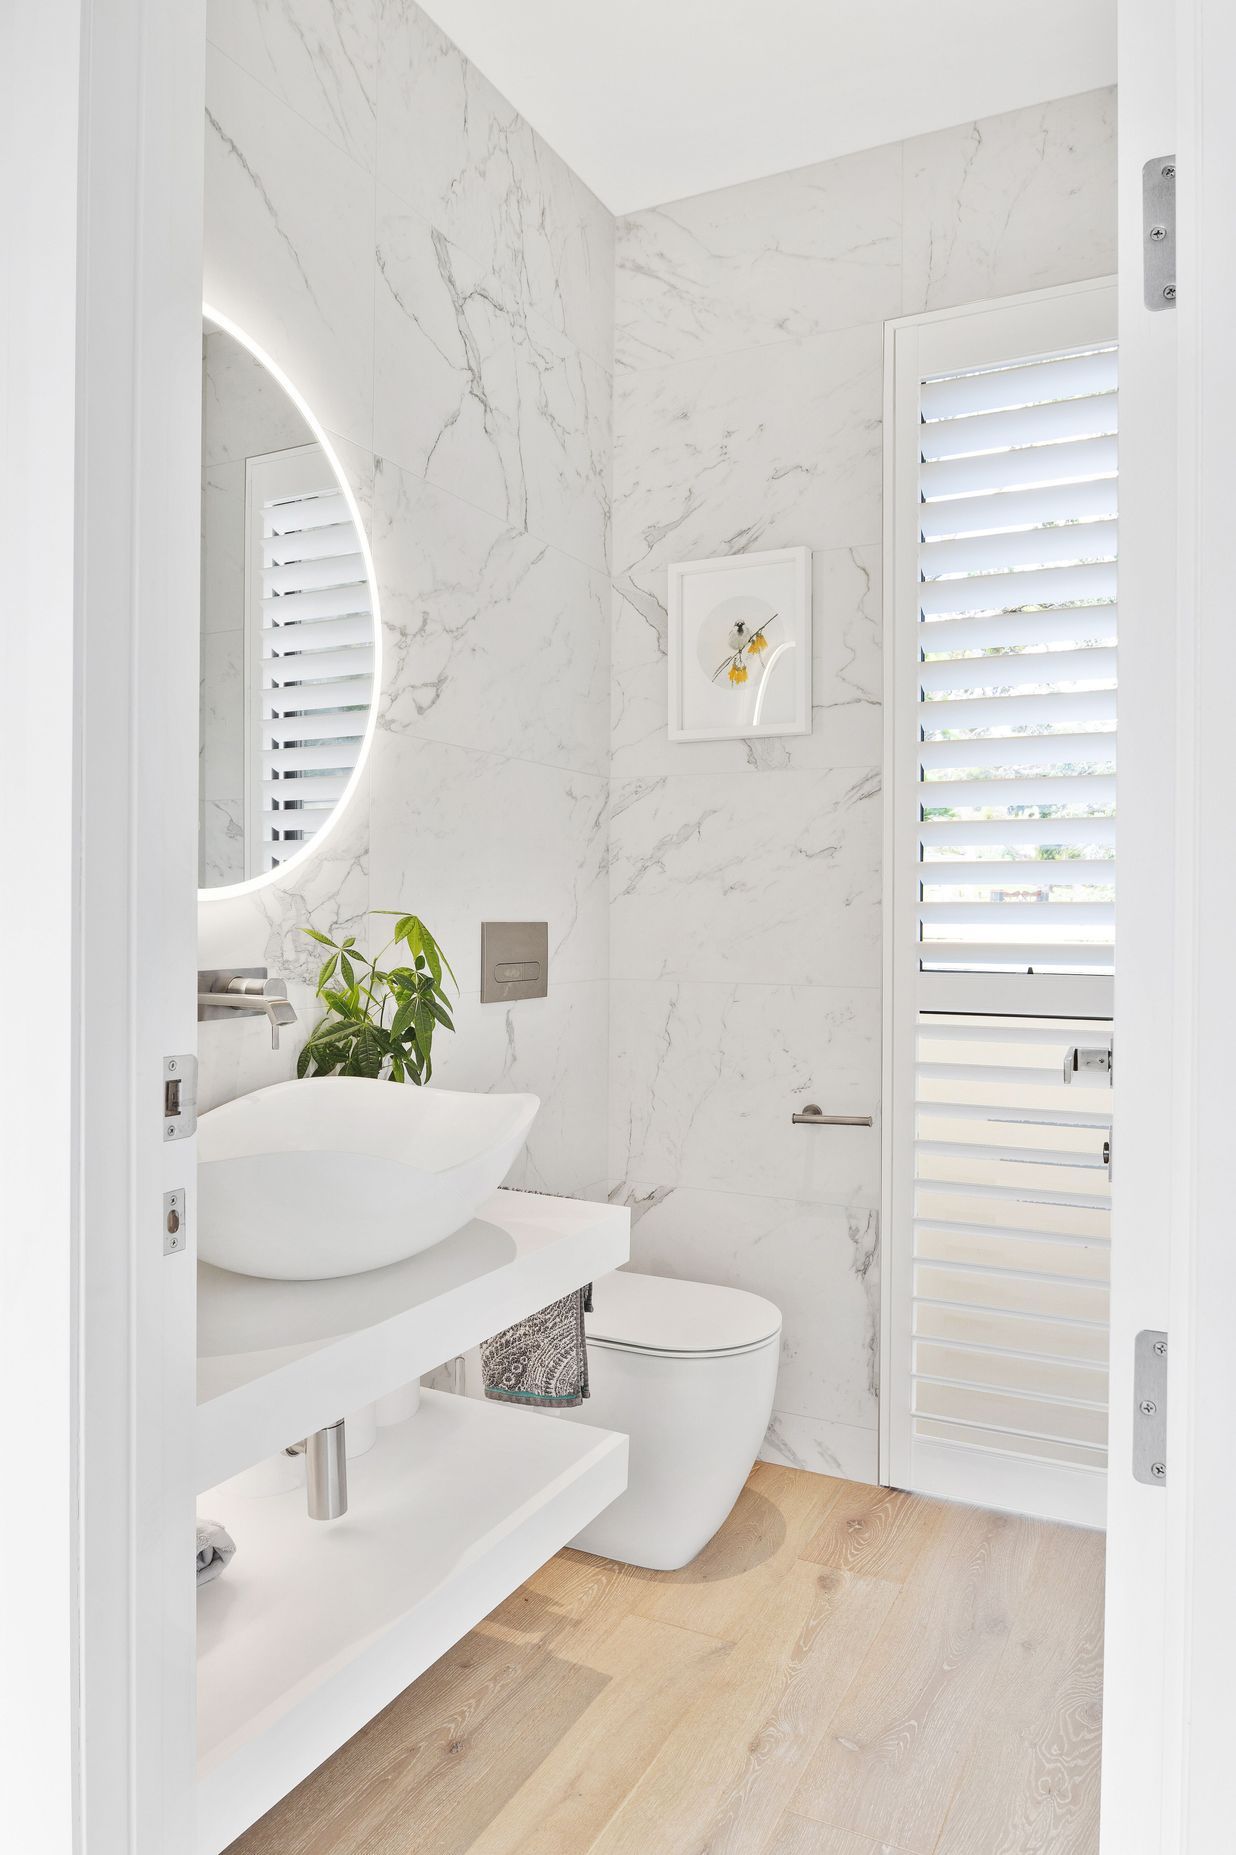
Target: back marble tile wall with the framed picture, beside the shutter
745,876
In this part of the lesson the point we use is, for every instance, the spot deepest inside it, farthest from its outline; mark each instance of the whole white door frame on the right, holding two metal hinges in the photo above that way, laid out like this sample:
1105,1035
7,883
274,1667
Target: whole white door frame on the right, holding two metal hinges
1172,1607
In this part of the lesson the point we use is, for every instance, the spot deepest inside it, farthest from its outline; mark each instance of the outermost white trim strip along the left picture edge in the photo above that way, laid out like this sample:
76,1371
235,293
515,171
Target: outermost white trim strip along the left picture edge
40,1728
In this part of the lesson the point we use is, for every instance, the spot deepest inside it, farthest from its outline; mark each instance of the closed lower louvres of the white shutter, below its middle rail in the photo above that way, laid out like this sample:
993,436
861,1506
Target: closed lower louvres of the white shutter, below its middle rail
1011,1255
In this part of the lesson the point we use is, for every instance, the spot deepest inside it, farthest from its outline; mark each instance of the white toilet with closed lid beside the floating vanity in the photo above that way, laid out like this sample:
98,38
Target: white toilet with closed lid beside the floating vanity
688,1370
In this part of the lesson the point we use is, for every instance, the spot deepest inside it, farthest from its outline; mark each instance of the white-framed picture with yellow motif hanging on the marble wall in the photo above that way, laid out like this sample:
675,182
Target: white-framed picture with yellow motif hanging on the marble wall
741,646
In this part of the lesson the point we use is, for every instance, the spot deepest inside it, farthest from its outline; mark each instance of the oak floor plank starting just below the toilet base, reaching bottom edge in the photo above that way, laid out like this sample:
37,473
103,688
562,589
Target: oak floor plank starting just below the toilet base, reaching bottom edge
654,1676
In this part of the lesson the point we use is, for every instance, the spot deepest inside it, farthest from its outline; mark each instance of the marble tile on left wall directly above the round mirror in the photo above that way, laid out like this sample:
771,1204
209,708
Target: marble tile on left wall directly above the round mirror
290,246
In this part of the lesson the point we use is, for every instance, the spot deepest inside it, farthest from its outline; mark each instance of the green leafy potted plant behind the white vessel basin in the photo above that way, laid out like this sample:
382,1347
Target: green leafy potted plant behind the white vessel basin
380,1019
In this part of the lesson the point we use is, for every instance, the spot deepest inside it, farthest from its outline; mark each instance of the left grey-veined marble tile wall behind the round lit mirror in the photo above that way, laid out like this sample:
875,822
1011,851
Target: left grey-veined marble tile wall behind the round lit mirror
439,287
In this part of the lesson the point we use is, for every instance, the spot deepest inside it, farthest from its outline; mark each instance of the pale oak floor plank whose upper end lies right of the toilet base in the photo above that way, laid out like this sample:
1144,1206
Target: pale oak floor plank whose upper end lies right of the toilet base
730,1769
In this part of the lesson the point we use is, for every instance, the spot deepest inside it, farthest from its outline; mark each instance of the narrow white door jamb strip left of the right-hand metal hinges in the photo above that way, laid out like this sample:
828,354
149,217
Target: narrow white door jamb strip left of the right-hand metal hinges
1146,1086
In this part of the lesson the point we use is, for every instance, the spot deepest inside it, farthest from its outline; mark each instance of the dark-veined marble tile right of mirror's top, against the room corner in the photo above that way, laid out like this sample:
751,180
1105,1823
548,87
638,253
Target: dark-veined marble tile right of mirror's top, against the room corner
485,400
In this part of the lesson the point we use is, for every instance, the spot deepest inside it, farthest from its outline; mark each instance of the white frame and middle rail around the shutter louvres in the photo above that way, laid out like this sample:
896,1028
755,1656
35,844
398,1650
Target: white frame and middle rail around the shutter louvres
970,335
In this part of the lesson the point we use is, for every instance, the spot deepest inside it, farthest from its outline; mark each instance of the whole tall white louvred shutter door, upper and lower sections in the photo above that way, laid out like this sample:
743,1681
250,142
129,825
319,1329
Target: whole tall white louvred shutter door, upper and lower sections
1001,771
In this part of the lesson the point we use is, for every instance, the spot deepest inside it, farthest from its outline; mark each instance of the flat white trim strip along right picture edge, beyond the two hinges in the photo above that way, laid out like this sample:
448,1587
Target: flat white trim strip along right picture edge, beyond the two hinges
1202,1489
